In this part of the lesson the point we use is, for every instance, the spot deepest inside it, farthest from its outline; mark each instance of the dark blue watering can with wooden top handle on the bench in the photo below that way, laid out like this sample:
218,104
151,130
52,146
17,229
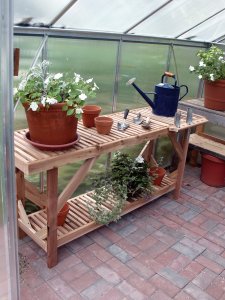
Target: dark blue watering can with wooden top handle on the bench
166,96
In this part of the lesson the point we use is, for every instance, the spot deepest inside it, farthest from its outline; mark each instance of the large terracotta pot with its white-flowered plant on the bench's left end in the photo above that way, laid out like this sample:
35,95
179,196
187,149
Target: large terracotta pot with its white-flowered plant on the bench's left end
53,104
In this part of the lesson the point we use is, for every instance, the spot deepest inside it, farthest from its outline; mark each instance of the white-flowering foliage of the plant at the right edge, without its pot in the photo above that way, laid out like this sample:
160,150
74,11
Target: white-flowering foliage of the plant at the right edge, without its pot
211,65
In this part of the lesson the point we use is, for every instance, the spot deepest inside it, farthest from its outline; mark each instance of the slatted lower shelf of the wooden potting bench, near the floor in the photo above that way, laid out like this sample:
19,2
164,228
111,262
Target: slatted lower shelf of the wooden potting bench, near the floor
78,221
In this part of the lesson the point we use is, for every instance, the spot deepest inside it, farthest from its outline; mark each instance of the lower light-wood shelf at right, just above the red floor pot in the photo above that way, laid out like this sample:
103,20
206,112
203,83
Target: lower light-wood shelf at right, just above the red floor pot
207,146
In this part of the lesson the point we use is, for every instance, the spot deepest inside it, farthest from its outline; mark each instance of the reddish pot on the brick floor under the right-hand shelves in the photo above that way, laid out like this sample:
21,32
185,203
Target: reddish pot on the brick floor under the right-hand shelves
212,171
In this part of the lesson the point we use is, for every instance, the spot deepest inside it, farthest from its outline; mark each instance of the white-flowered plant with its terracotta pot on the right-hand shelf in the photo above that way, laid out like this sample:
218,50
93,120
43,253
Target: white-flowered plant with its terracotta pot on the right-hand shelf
211,69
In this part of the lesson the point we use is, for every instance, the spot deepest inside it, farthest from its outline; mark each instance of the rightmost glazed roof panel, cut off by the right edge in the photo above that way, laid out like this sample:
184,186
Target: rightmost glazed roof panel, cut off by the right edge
209,30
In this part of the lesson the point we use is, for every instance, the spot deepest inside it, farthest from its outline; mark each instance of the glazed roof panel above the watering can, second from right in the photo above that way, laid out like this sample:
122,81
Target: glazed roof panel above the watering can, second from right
177,17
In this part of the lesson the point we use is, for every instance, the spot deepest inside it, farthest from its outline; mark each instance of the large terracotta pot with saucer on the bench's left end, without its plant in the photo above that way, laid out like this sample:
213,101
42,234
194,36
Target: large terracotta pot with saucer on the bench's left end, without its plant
51,126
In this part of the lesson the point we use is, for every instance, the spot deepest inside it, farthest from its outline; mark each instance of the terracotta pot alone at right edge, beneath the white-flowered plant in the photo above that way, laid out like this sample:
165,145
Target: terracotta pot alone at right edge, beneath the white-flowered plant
214,95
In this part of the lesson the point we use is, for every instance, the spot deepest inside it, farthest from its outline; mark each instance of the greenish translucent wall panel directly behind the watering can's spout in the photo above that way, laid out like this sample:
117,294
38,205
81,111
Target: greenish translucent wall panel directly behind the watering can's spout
147,63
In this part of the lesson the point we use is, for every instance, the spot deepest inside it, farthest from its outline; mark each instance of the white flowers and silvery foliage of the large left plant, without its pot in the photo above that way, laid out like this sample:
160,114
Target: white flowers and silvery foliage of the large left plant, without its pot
41,89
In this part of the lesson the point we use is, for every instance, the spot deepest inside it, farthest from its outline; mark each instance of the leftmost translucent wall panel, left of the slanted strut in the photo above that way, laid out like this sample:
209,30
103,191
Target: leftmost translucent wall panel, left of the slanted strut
28,46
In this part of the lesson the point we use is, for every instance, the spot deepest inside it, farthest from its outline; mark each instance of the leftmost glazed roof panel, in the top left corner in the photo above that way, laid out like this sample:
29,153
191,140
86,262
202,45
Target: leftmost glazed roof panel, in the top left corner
33,11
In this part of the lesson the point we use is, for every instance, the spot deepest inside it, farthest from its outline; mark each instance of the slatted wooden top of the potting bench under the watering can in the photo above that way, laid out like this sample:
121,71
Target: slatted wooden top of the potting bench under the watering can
91,144
